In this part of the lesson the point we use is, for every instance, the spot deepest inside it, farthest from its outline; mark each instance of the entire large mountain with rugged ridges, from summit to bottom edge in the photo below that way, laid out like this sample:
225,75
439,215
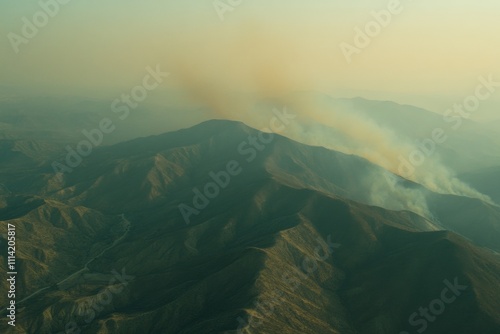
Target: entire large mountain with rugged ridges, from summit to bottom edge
213,234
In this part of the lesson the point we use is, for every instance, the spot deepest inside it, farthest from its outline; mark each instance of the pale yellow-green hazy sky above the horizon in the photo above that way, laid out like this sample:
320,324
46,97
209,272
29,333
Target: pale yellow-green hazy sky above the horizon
430,54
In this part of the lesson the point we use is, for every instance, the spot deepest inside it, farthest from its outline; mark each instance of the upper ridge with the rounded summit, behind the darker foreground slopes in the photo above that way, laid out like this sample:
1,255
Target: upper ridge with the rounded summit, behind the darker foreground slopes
162,169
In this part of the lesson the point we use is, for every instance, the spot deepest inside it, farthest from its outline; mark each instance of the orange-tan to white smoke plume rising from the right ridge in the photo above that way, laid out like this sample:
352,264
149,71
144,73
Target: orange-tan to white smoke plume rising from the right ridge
260,69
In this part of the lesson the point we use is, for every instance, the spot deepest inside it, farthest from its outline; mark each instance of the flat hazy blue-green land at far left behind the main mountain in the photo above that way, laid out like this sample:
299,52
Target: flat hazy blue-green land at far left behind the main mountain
39,129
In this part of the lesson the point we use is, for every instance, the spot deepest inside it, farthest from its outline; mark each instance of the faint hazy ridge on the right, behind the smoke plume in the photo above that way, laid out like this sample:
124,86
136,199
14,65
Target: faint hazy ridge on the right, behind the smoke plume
469,145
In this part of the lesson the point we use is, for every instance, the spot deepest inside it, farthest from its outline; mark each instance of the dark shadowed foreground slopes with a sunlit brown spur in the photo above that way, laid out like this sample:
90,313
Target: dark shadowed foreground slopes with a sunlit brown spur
203,278
